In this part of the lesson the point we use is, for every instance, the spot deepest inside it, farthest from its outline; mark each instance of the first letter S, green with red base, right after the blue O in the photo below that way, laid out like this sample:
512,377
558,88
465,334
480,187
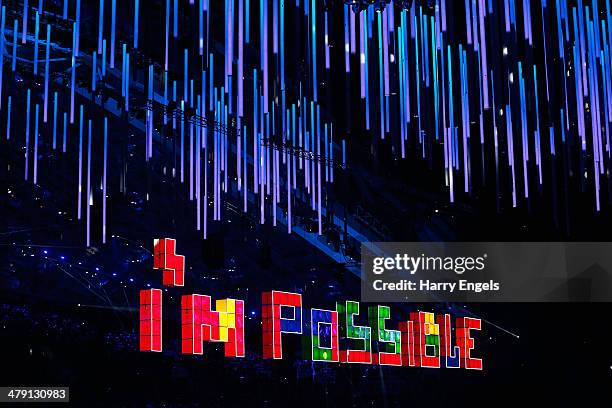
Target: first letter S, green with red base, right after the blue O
351,333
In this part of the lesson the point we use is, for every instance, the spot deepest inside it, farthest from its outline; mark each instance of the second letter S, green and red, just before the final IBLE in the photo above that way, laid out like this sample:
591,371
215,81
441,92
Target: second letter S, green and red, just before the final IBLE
390,346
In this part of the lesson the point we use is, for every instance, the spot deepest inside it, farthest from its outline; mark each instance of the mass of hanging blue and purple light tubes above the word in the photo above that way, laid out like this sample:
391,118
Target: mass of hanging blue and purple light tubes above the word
514,102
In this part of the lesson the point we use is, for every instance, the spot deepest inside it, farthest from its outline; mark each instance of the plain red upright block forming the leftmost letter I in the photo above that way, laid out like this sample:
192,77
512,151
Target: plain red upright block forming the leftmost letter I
150,320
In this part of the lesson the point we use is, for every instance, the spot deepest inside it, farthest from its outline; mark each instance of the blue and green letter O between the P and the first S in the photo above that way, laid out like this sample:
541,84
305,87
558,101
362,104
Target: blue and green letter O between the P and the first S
324,323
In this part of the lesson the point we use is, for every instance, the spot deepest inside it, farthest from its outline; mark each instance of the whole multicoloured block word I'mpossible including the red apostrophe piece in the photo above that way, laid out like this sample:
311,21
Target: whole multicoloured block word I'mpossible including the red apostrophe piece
425,340
